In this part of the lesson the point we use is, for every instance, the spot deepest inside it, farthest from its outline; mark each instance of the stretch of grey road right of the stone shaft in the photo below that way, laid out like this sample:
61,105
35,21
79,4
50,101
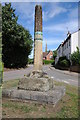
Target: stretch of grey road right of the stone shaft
63,76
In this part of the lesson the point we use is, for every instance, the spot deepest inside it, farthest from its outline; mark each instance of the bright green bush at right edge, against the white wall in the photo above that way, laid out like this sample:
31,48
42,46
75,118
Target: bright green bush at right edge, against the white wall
75,57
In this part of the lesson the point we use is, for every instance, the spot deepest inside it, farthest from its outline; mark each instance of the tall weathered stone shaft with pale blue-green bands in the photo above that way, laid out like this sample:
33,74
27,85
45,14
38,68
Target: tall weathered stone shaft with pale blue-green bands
38,38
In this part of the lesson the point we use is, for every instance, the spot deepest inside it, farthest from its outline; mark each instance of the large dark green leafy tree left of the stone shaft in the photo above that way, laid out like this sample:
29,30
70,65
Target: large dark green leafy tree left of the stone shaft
17,41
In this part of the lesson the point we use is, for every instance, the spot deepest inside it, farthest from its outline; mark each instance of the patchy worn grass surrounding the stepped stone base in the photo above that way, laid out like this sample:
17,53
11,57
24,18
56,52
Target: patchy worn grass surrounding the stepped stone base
65,108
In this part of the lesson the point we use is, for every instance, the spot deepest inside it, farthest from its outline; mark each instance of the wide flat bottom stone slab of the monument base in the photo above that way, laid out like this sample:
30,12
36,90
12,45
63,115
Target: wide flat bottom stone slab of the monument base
50,97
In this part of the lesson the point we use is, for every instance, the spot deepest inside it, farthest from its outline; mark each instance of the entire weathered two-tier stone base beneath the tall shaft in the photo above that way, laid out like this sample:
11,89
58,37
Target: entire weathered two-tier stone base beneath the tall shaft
36,86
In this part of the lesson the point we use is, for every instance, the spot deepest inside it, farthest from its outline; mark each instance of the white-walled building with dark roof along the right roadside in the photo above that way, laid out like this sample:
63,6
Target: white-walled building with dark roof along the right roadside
69,45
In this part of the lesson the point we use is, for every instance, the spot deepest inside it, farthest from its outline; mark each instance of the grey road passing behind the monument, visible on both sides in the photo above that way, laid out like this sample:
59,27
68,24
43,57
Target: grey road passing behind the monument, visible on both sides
58,75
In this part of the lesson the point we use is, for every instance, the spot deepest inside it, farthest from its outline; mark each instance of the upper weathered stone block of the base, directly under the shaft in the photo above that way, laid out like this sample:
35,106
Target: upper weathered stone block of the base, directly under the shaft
36,81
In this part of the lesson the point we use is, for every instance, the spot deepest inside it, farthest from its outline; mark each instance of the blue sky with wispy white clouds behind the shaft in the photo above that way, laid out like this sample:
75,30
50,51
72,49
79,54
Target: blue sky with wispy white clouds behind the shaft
58,18
